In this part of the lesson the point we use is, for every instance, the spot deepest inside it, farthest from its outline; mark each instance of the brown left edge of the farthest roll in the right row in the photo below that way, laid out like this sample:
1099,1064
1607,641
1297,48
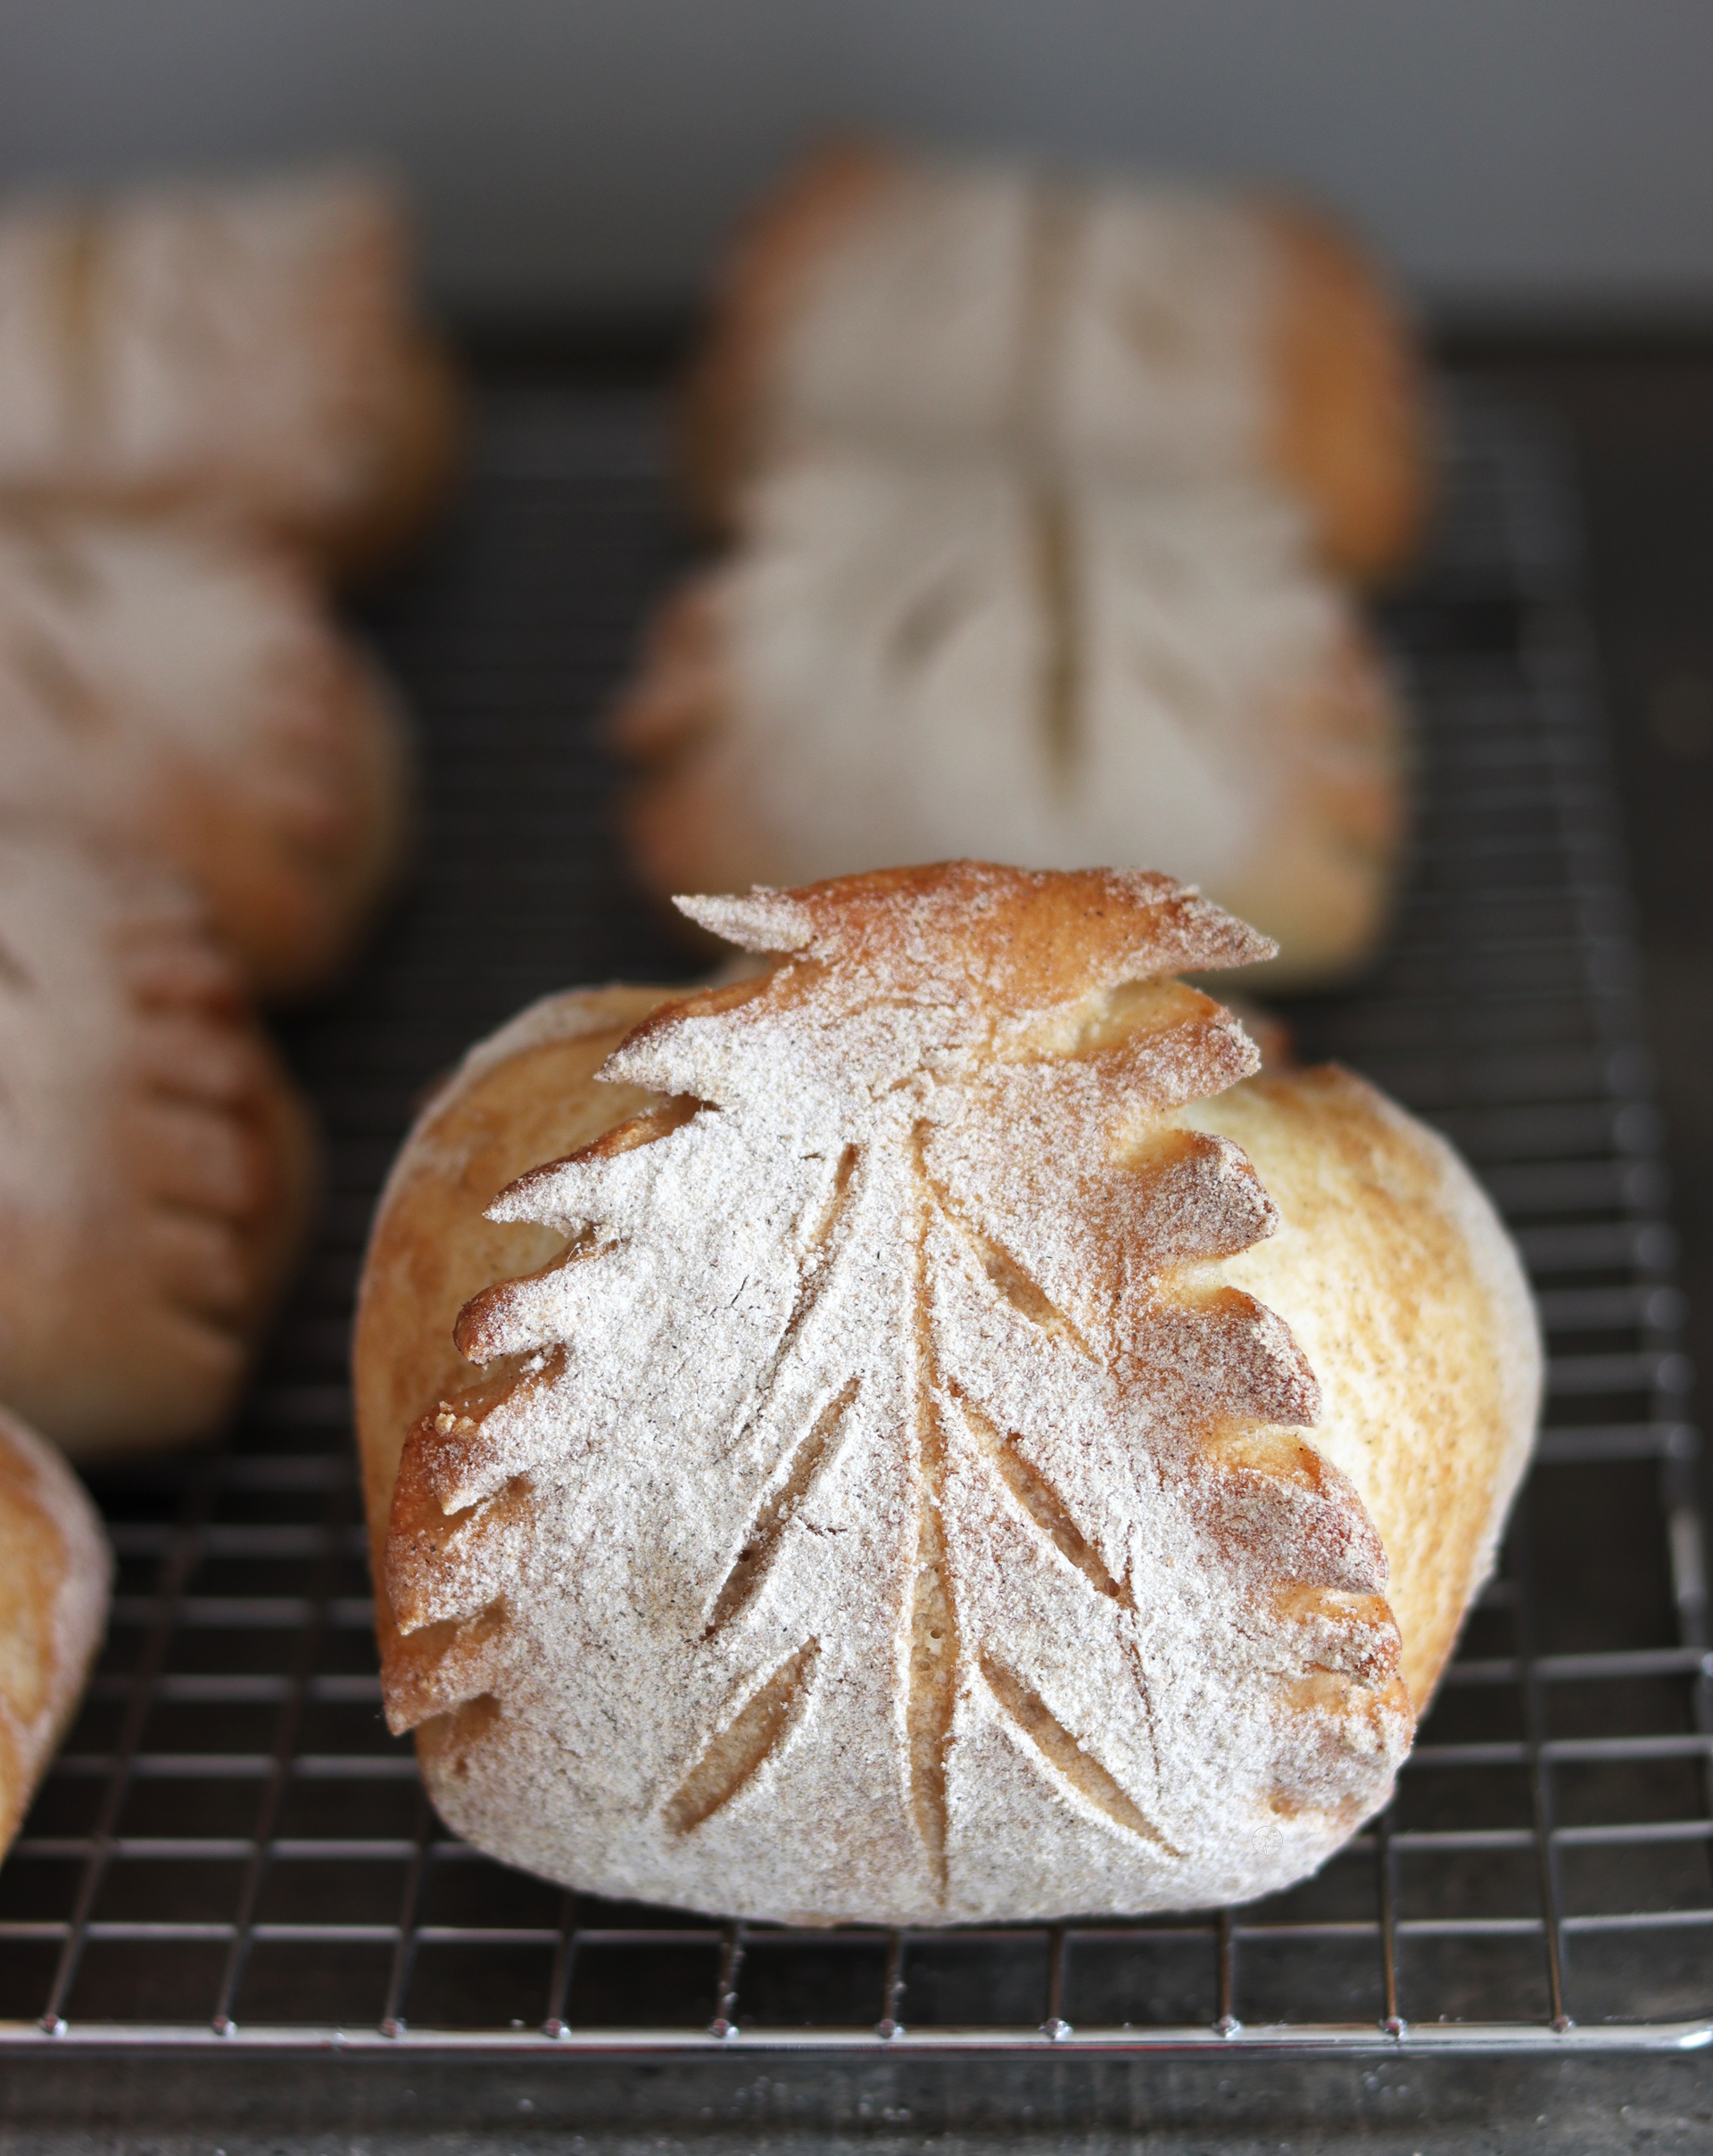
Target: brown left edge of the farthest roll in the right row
754,301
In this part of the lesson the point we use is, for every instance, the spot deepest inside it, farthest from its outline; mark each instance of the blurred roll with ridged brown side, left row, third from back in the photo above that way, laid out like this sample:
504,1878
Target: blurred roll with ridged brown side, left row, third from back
154,1161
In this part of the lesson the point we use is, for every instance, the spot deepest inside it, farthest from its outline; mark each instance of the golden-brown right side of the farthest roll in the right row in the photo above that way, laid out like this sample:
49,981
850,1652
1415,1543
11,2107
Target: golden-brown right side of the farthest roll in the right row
1349,411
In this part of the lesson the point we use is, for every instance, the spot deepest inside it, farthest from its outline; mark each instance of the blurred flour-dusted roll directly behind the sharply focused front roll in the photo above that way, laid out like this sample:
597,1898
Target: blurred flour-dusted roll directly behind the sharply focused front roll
963,663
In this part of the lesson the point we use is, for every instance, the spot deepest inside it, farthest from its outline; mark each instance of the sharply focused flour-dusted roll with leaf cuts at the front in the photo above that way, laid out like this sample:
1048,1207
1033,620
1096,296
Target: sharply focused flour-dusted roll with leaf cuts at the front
944,1443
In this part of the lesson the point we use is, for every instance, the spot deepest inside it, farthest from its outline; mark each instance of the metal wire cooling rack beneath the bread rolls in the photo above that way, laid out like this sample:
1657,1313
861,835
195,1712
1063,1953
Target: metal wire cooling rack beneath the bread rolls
232,1849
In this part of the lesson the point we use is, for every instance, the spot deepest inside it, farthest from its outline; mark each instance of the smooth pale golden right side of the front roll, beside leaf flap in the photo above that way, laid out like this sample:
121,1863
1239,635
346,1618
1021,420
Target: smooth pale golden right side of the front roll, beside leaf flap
1395,1273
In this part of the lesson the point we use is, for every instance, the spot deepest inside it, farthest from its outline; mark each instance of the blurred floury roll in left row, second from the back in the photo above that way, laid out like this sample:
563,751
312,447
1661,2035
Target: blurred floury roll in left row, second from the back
184,691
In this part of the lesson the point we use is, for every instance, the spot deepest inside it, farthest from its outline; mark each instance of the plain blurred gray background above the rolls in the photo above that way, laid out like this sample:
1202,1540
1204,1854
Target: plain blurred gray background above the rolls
1509,154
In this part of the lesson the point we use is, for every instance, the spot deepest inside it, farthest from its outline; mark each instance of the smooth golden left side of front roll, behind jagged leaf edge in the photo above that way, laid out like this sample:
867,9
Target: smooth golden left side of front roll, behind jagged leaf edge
521,1098
